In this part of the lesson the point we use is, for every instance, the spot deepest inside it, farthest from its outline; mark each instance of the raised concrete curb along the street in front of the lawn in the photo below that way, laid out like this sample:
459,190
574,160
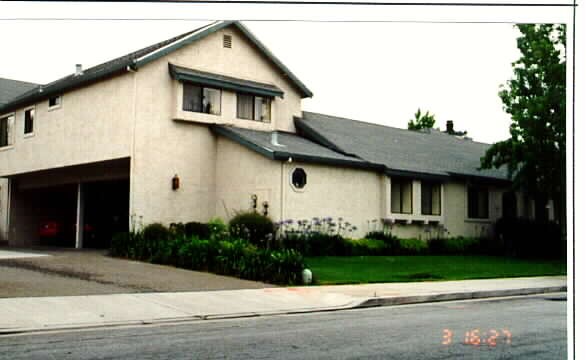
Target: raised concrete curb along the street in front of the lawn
483,294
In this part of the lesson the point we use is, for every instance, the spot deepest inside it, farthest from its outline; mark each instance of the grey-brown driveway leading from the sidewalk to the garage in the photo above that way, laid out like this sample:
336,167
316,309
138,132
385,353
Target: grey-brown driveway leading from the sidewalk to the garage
68,272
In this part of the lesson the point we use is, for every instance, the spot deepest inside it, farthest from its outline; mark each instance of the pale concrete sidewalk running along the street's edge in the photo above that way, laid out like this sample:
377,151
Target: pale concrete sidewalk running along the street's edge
20,315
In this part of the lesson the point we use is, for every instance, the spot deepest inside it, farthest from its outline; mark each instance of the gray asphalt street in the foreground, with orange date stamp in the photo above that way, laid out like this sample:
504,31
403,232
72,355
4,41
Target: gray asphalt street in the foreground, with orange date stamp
506,328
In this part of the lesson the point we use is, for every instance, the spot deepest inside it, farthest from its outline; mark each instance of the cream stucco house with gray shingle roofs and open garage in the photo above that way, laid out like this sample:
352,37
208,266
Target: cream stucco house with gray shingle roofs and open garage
208,123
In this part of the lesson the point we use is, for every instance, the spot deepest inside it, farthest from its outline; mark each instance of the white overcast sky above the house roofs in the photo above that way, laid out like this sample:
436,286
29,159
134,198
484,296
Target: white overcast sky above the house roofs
446,60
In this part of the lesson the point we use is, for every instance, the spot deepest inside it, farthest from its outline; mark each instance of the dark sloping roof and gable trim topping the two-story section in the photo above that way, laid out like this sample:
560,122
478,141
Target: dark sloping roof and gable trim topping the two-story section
140,58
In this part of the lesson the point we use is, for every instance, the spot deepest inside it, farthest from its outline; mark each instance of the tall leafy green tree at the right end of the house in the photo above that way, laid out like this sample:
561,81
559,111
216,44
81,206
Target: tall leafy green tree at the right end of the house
536,100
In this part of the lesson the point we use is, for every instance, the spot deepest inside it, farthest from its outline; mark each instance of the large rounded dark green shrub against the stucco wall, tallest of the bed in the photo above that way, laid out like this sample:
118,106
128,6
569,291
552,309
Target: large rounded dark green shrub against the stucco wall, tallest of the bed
252,226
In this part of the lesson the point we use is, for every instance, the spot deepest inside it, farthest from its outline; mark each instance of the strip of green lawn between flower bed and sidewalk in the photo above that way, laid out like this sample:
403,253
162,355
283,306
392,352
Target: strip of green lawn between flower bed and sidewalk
369,269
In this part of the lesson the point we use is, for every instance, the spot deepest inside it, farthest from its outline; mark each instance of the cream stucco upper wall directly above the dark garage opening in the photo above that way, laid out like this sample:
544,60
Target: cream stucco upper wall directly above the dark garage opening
92,124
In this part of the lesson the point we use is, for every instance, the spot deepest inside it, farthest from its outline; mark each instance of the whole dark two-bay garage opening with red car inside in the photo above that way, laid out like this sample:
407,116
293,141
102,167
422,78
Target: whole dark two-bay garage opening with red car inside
78,206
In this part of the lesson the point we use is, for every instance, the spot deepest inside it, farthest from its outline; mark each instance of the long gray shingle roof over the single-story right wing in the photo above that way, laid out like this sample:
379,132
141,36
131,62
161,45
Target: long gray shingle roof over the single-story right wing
399,150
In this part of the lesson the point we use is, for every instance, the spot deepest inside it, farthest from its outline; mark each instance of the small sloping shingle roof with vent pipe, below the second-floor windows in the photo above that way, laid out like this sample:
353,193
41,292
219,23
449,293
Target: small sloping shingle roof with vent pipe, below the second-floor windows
296,147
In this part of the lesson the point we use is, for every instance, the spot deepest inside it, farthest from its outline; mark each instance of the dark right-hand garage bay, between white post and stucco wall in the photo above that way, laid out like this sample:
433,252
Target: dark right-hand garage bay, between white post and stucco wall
106,207
